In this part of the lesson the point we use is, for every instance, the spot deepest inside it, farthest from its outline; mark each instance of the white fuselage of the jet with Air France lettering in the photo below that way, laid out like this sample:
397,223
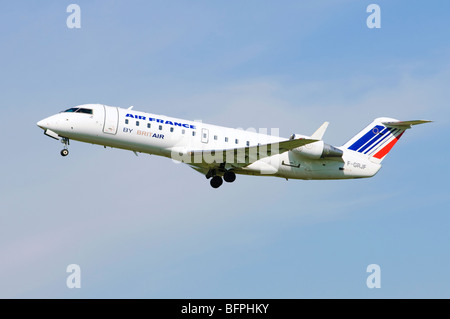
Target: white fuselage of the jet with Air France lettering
167,136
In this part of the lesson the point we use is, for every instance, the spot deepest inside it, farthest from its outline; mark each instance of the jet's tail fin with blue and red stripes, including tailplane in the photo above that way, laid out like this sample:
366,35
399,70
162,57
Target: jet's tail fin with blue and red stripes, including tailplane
379,137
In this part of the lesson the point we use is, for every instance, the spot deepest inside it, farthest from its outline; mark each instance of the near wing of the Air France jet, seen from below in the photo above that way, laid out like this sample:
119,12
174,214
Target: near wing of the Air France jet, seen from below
244,156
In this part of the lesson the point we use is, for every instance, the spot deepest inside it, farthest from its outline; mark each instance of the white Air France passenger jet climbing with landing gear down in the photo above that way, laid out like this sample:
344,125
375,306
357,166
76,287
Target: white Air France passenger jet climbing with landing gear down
220,153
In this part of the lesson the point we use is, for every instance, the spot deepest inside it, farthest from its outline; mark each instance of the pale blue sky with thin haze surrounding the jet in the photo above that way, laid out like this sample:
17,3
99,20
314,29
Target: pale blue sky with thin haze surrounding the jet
144,227
